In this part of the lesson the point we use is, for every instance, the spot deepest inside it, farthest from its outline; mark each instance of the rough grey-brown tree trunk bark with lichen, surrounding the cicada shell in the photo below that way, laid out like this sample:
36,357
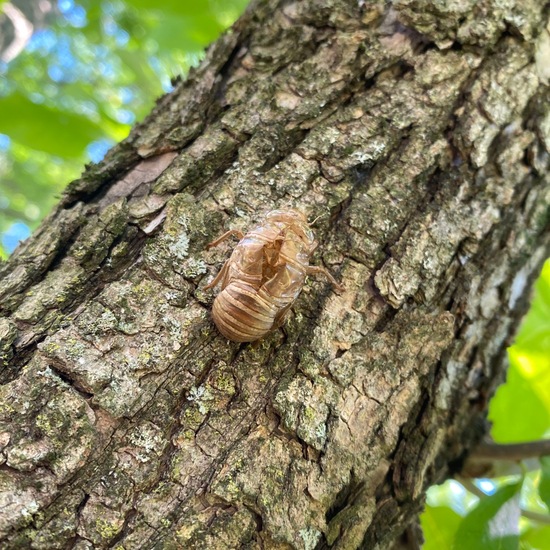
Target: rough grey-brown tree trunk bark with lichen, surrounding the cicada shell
421,131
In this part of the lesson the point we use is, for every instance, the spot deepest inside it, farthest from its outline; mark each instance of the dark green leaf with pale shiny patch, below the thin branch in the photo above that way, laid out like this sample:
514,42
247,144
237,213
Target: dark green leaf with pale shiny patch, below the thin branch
481,529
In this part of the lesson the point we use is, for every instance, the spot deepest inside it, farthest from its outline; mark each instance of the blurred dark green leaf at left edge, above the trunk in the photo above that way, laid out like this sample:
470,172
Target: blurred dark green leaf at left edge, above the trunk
44,128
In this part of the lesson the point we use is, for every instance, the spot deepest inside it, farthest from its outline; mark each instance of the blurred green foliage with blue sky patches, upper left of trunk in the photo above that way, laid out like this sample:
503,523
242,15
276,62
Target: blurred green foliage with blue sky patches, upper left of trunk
80,84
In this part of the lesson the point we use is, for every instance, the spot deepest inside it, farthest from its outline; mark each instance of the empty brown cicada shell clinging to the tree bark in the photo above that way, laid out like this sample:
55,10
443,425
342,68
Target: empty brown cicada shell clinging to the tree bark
264,275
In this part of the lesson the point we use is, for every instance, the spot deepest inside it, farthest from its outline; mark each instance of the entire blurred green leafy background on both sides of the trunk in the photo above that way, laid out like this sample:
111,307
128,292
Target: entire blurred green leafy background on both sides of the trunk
77,88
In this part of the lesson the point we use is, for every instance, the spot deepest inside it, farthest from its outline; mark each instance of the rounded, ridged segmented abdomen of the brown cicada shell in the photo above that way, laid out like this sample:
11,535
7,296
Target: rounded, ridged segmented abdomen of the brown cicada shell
242,314
